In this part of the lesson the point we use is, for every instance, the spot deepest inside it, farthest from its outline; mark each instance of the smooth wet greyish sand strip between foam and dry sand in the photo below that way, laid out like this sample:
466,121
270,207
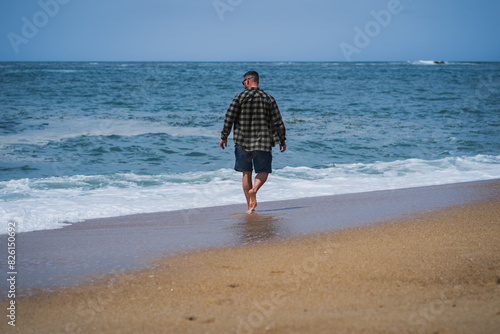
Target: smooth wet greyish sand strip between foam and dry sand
79,253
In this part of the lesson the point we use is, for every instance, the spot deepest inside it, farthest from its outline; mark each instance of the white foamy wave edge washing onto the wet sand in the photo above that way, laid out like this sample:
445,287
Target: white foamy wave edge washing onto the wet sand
50,203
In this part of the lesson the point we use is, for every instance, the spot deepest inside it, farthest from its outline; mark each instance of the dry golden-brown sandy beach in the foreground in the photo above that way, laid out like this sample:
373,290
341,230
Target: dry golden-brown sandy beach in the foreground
432,271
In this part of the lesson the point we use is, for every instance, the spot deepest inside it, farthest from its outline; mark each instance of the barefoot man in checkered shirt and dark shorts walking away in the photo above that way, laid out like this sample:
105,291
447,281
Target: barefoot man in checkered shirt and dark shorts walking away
257,127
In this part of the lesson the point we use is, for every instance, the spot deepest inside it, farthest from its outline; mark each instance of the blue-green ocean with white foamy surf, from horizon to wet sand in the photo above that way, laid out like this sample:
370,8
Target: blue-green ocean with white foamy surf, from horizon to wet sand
104,139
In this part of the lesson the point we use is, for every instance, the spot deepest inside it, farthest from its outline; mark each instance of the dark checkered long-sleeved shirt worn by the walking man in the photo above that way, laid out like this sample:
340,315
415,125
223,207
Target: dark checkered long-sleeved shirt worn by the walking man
258,125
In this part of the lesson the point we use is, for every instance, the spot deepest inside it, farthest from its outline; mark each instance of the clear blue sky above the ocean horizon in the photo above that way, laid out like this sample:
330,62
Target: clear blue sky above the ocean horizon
249,30
